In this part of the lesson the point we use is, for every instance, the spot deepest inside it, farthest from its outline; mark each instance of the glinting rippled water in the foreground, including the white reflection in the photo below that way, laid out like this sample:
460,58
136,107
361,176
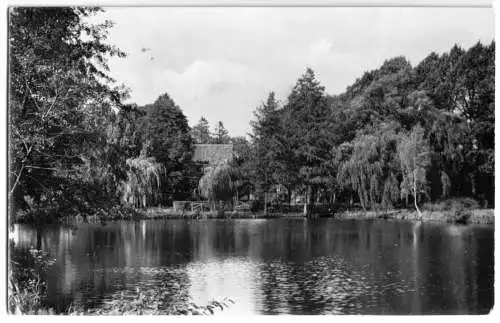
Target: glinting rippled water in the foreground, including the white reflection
327,285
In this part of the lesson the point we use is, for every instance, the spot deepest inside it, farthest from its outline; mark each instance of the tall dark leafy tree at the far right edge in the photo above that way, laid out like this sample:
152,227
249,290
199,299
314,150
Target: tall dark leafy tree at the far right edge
460,86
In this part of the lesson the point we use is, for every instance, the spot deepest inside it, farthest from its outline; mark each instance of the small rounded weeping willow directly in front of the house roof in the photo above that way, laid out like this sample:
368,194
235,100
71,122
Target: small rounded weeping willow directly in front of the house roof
218,184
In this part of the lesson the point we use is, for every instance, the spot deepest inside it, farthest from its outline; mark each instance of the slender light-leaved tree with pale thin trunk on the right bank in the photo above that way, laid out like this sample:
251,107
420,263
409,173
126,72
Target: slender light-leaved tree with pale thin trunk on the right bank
413,150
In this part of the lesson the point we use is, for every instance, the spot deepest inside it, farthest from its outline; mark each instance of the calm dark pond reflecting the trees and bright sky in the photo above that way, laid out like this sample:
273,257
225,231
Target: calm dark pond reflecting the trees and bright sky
278,266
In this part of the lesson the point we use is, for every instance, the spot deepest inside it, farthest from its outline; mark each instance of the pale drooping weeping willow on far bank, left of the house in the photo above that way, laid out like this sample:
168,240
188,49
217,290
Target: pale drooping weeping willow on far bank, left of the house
144,179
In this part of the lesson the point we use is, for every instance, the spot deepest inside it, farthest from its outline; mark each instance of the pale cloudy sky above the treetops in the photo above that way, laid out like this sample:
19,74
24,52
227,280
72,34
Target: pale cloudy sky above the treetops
221,62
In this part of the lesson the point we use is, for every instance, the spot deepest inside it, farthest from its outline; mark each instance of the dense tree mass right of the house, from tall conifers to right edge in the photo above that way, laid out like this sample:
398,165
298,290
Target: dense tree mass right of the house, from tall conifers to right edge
398,134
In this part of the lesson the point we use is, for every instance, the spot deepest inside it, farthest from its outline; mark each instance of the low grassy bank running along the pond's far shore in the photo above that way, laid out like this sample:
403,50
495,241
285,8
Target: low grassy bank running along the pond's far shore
454,210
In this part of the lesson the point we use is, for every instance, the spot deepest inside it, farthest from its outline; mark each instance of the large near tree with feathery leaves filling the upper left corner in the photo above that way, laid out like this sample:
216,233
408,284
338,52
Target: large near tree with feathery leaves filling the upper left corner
60,101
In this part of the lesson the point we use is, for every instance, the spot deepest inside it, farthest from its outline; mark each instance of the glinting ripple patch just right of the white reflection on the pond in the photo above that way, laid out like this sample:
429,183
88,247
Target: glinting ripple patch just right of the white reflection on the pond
324,285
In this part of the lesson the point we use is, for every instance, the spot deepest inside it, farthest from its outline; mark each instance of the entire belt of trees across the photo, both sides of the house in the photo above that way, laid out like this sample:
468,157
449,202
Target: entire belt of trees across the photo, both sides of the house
399,135
